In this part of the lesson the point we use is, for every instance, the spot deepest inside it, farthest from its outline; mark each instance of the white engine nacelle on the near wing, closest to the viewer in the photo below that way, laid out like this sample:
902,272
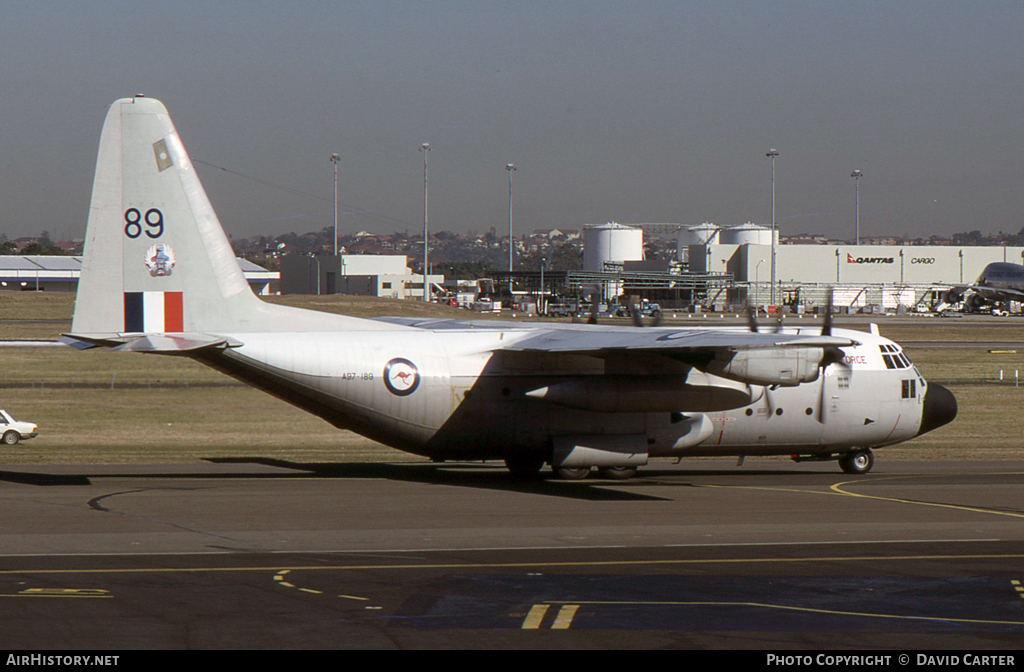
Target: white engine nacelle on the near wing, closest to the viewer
790,366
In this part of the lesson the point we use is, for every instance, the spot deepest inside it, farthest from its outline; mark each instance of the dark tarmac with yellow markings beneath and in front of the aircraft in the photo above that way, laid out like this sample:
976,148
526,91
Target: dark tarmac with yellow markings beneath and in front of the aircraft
772,556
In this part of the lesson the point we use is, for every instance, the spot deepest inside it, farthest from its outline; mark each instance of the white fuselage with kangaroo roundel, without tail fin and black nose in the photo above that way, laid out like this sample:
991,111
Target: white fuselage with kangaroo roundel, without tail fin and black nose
453,395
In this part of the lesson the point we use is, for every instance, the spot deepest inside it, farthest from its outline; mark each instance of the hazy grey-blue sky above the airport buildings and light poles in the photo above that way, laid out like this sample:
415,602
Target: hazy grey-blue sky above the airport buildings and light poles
633,112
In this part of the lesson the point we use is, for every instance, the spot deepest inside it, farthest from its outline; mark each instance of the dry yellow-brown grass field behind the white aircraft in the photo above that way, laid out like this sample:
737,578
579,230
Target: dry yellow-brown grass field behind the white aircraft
101,407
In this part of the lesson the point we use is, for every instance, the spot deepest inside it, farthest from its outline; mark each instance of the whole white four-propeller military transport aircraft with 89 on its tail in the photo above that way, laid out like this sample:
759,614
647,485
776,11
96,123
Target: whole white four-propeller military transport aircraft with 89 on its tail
159,277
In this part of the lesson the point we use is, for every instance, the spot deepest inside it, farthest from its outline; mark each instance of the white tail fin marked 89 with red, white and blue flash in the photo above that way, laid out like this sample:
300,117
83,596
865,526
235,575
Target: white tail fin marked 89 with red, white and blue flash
157,260
